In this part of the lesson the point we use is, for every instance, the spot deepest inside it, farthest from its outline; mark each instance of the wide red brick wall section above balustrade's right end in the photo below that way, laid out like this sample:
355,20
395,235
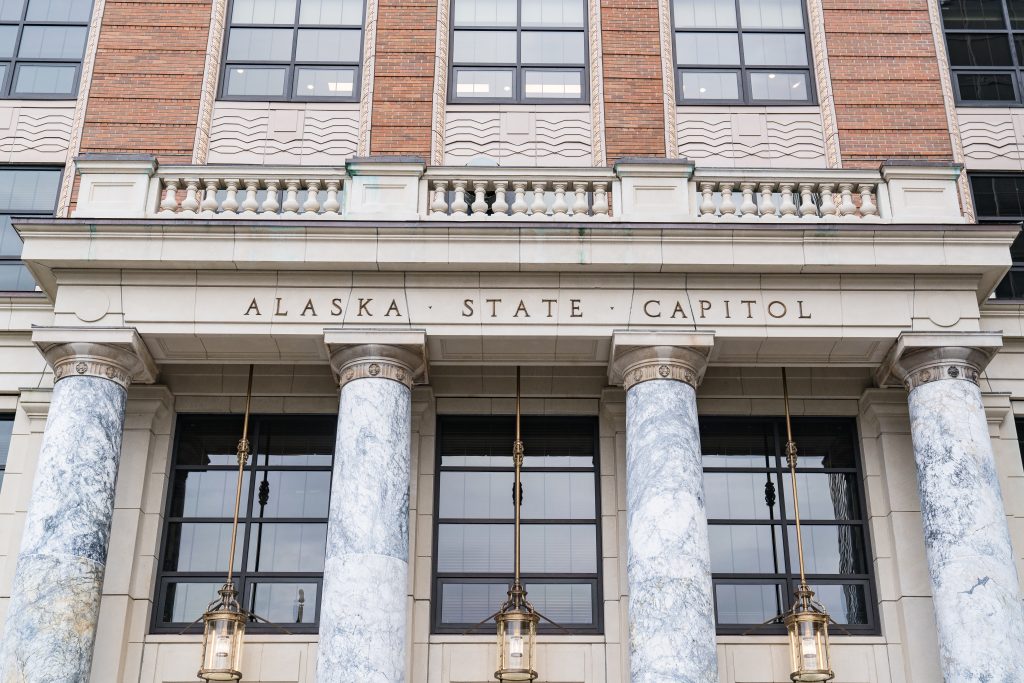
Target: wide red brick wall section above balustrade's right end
885,81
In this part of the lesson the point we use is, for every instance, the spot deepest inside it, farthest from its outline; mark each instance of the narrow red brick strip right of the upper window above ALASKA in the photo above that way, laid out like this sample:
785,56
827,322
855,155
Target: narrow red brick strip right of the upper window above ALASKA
404,77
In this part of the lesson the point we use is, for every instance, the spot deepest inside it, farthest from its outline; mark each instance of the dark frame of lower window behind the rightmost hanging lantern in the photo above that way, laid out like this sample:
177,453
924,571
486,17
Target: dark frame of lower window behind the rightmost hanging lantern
789,579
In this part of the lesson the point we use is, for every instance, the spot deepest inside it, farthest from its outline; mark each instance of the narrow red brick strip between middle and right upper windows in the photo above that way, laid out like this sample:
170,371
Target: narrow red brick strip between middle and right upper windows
634,110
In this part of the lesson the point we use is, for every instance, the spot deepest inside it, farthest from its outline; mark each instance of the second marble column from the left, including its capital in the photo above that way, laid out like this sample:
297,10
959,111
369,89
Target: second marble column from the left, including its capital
366,577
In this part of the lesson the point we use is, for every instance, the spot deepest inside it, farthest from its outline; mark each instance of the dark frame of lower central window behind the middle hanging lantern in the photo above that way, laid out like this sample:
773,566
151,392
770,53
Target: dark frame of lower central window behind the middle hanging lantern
596,627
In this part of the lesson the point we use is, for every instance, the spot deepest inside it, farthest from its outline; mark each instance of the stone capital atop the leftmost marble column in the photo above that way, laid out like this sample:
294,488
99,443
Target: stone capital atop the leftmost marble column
118,355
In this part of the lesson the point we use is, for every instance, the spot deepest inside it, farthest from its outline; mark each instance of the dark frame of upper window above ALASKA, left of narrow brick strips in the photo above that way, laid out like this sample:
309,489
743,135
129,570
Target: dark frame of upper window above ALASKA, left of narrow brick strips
293,66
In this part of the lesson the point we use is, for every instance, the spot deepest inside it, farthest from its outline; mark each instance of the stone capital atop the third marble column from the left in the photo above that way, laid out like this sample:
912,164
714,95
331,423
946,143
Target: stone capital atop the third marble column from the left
639,357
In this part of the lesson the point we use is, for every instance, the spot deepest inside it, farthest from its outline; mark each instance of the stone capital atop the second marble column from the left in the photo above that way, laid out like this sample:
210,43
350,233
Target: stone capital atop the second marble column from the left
398,355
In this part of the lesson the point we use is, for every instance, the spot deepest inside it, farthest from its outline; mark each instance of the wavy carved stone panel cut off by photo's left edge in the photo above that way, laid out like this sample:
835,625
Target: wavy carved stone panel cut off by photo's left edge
35,133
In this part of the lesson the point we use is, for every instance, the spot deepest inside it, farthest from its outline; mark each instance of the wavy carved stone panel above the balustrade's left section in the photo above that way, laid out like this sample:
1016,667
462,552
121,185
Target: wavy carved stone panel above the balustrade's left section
284,135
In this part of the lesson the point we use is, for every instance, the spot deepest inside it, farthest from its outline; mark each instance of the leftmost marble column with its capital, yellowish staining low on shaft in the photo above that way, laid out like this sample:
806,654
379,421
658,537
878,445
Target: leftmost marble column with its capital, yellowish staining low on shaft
55,604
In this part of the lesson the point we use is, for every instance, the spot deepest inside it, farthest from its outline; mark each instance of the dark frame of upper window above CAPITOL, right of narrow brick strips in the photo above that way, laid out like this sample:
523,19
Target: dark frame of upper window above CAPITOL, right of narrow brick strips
742,70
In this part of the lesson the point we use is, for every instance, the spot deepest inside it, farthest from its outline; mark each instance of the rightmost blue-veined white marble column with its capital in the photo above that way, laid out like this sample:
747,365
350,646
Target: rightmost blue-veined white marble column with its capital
975,589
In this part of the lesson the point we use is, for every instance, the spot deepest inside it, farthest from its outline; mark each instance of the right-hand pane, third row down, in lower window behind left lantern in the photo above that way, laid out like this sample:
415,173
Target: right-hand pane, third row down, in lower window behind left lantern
287,547
